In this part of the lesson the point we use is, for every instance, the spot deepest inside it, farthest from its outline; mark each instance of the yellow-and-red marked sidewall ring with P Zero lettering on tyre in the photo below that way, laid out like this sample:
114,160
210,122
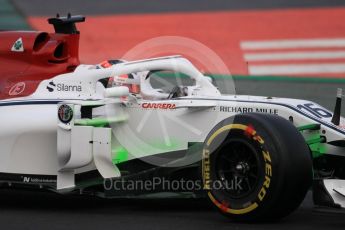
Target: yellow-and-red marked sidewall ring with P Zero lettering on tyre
251,133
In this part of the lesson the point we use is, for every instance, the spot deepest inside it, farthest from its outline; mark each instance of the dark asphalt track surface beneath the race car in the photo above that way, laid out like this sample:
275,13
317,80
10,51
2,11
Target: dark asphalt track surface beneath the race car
24,210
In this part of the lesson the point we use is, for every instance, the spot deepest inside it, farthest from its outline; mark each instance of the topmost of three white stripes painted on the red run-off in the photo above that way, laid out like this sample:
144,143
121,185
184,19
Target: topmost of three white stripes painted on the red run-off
293,43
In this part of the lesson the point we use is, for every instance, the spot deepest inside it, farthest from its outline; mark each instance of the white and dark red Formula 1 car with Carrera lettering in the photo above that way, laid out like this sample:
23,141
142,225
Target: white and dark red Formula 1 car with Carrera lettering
105,130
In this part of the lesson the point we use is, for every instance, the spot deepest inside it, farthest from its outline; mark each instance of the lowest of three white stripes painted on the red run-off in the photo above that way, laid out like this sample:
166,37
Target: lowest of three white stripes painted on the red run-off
296,69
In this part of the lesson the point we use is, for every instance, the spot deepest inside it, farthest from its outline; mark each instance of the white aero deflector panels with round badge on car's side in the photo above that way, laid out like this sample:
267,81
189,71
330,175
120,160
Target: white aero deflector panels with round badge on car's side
79,146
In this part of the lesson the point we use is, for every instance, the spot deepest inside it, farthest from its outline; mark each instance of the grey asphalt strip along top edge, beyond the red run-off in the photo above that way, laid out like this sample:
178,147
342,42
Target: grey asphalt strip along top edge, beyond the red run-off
96,7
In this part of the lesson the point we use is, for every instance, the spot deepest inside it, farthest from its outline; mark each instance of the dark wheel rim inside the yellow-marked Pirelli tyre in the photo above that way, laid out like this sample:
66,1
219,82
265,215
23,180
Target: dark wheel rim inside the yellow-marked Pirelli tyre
237,168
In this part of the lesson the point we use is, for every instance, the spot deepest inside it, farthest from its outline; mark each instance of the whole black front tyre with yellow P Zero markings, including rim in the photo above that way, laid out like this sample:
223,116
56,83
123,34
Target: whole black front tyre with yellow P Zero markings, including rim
256,167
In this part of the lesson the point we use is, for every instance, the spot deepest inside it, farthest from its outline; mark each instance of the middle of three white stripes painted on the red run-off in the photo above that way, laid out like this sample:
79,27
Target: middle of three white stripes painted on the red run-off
294,55
